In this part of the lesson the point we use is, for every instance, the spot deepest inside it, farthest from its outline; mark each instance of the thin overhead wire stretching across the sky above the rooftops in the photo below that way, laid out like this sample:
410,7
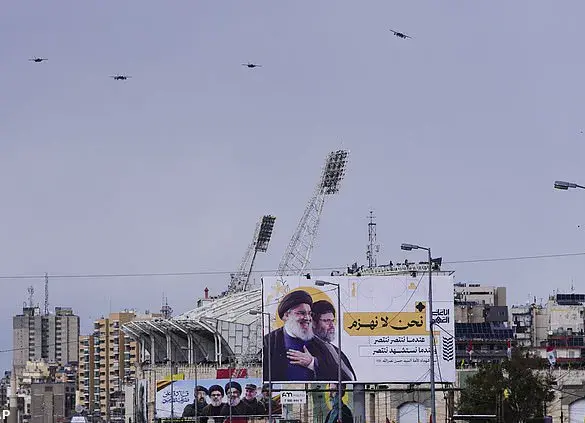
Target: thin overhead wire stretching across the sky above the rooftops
268,271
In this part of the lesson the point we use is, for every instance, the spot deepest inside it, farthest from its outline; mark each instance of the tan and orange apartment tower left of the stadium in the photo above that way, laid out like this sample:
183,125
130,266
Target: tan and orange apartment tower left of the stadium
107,361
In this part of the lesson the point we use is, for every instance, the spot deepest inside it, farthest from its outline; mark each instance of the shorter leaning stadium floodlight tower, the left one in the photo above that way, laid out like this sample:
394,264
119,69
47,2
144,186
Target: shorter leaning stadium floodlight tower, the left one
240,280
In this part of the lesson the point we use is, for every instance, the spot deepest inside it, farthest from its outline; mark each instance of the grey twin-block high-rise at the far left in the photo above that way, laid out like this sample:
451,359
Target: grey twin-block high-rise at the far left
53,337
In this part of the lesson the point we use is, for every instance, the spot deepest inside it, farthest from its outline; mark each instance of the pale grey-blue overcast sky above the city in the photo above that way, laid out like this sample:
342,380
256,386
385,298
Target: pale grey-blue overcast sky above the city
456,137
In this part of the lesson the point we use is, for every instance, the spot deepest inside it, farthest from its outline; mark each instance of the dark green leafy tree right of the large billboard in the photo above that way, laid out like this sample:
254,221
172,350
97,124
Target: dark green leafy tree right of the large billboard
520,385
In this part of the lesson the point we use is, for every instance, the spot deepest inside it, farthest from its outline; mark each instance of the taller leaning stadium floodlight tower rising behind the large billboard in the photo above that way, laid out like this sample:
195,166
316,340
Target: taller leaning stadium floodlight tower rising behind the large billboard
297,255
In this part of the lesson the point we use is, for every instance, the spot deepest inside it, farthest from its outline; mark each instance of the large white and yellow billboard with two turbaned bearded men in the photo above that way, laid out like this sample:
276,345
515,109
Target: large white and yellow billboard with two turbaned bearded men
385,329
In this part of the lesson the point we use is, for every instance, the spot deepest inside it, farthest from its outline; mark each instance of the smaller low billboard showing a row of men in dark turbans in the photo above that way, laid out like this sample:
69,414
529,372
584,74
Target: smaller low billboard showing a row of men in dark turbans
181,397
